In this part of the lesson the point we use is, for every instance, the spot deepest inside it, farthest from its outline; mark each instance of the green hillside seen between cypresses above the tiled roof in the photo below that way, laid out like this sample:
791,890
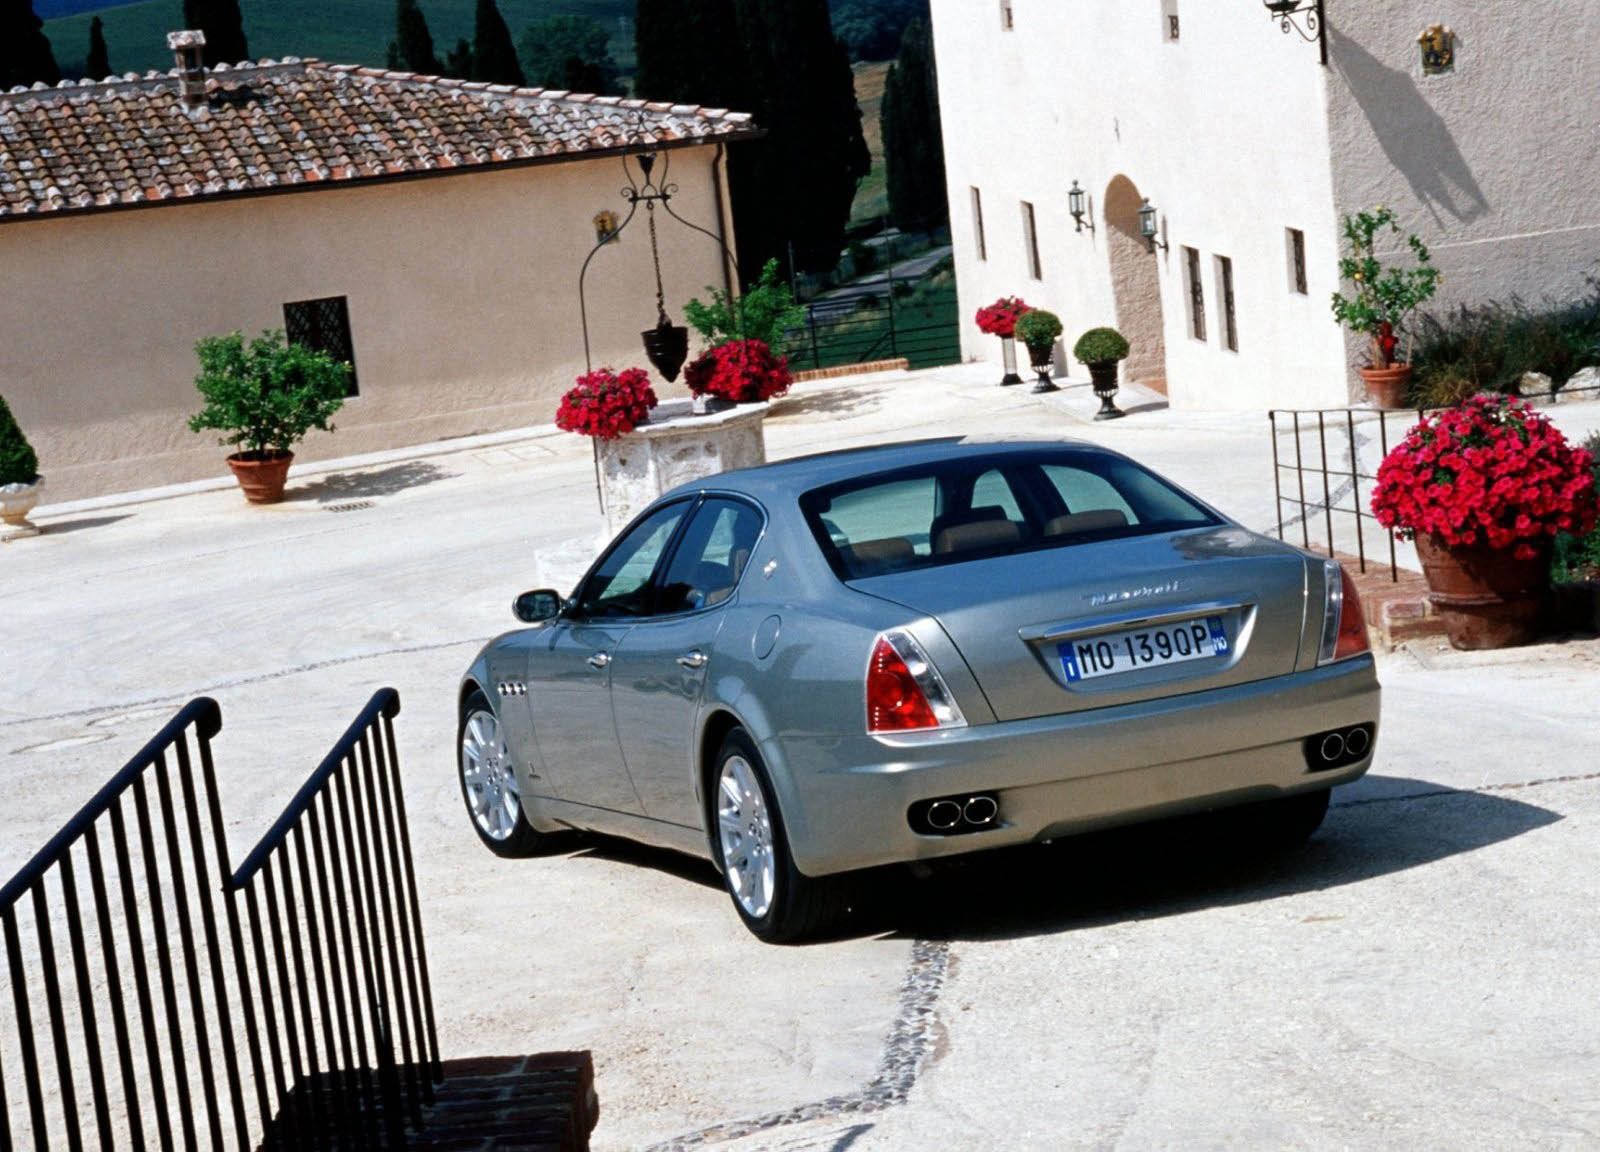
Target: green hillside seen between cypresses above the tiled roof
346,33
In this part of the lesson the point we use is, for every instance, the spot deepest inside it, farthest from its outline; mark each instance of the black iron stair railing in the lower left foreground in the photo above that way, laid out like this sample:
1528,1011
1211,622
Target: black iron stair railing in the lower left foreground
132,1039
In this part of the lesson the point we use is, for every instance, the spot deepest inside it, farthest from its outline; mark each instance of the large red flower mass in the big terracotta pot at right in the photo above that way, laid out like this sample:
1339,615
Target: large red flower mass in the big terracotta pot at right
1492,473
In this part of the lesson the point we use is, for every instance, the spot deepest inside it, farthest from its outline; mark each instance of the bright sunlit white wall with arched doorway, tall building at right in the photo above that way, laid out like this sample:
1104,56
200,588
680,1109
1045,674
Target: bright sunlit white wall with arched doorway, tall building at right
1226,134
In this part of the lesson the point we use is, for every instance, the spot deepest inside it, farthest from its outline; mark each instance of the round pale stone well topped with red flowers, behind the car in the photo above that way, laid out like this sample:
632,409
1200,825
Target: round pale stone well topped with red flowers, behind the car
674,449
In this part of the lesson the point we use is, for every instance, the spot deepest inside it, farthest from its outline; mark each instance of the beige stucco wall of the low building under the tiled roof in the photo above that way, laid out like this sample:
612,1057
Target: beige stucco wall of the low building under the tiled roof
463,302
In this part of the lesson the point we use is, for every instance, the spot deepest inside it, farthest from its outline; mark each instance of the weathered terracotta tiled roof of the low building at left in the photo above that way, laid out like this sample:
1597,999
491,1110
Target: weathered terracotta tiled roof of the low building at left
274,126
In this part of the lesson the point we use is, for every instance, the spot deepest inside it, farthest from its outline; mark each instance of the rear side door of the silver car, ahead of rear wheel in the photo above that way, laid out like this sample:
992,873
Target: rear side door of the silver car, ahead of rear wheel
660,668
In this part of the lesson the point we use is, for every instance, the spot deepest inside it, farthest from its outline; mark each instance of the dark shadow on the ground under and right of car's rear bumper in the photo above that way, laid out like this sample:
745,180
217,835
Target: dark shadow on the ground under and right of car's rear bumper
1388,825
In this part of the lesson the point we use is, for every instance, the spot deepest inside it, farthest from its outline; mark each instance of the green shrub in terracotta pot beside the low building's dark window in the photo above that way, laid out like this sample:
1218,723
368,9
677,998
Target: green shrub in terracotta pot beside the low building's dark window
265,398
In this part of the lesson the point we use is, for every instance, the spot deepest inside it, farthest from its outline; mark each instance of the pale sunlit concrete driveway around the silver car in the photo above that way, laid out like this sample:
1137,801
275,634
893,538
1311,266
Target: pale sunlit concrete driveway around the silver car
1422,975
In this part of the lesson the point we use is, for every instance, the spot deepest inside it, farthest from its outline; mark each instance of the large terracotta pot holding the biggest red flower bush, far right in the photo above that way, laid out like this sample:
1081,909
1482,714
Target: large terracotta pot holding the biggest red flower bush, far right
1486,598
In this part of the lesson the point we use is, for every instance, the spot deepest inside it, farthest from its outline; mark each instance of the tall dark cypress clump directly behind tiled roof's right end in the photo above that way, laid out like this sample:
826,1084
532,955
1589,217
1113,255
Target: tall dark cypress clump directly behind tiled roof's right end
778,60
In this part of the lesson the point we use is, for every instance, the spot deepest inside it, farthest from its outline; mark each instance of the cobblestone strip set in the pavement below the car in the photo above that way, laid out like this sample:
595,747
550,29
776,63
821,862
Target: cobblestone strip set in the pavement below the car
905,1054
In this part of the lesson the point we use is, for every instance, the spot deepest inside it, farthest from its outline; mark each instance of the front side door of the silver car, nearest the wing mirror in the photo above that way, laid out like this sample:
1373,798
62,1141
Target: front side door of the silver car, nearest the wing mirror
570,666
